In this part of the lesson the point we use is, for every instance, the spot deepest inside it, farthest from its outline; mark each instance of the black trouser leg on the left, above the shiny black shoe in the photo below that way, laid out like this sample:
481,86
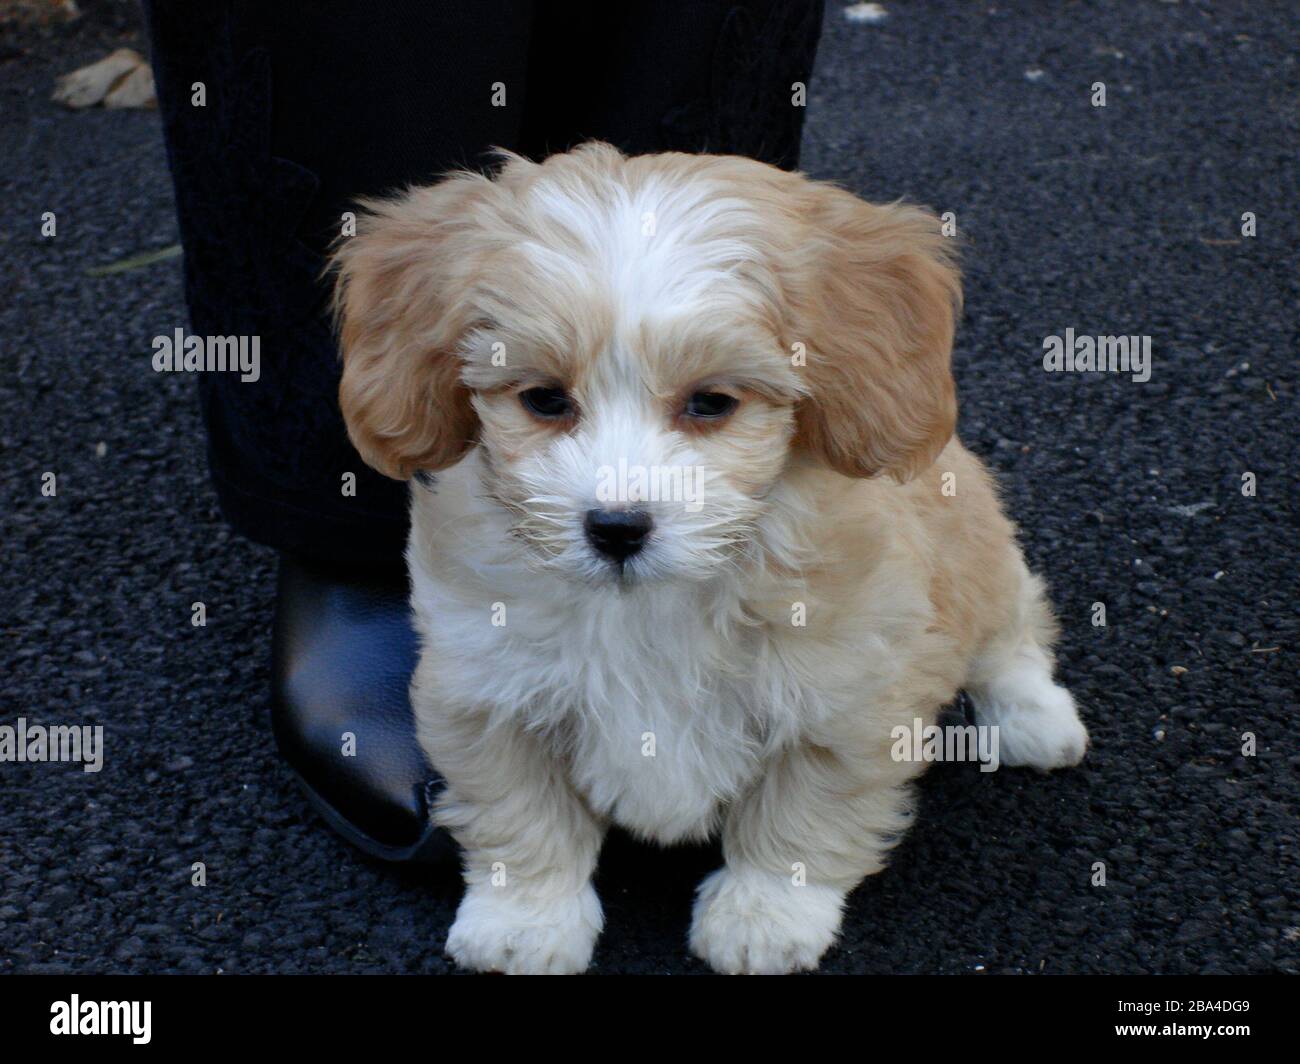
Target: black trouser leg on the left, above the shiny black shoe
309,107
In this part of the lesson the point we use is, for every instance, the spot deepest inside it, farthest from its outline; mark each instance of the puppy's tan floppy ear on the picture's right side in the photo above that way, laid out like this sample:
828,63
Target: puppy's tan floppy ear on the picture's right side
879,334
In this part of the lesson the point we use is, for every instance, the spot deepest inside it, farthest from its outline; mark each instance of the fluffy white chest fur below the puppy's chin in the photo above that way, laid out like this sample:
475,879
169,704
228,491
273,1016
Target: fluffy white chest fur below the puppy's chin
658,715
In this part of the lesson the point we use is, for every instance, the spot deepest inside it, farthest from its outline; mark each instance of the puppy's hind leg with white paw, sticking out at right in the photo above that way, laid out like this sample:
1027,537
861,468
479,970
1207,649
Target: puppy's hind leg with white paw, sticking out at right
1012,687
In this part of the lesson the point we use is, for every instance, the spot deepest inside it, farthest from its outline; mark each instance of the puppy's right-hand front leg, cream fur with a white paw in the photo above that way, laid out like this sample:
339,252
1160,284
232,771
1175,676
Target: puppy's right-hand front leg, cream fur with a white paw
816,825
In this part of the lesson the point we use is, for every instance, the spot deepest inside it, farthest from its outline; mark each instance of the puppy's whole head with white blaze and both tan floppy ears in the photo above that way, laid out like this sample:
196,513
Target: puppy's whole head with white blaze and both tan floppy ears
639,345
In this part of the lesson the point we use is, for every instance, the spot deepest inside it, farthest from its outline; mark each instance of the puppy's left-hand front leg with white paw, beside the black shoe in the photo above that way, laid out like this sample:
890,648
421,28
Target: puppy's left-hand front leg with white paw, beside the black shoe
530,850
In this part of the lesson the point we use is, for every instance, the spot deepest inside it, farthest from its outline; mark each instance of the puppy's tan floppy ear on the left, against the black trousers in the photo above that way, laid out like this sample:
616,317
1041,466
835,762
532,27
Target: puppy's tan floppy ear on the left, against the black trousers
400,317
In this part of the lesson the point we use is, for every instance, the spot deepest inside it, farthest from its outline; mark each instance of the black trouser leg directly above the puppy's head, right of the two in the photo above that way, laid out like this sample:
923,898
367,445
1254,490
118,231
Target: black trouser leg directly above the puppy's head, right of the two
710,76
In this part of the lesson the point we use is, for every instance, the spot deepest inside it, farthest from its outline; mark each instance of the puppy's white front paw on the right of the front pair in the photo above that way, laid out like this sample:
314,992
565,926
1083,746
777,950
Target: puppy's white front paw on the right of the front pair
760,924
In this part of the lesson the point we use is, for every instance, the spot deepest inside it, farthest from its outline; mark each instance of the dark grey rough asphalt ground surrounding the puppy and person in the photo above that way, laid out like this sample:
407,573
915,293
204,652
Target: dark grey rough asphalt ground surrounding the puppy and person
1112,220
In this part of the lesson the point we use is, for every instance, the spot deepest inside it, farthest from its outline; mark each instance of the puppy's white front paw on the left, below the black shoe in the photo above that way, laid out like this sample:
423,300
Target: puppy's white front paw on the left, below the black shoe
496,932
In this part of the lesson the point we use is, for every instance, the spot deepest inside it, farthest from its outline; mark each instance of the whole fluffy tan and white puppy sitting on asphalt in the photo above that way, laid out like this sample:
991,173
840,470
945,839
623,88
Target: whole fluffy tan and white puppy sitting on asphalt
701,537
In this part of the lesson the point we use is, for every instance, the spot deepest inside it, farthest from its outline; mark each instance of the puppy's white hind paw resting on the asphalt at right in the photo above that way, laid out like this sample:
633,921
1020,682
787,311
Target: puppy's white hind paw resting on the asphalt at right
1038,725
